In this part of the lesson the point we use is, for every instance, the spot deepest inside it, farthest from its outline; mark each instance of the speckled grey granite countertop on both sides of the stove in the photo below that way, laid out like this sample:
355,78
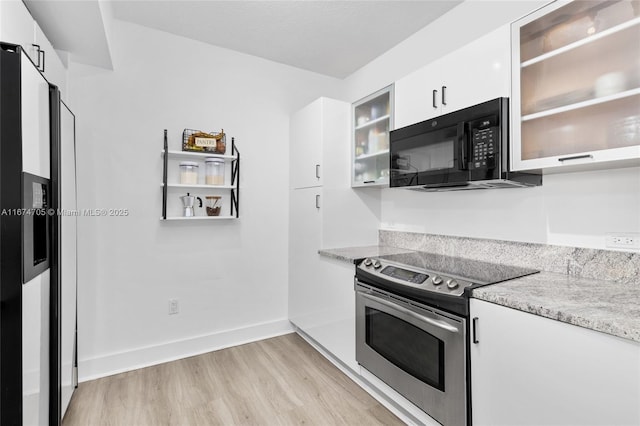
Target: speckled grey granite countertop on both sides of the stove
538,294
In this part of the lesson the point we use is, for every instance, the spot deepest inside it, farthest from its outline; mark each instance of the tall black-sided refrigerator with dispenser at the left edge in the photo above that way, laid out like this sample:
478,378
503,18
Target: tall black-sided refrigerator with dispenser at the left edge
38,278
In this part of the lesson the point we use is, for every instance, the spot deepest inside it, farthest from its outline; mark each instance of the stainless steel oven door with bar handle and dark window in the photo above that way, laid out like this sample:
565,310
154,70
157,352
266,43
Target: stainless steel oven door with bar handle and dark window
417,350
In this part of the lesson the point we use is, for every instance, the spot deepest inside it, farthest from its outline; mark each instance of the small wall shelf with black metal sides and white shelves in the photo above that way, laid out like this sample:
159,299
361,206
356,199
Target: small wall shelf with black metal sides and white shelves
233,188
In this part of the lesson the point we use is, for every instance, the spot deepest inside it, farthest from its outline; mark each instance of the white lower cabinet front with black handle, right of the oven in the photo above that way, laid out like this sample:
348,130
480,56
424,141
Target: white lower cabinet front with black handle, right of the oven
530,370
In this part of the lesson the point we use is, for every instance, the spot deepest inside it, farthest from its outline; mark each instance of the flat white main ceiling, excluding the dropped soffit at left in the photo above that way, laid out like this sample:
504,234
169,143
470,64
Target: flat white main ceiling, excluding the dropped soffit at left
334,38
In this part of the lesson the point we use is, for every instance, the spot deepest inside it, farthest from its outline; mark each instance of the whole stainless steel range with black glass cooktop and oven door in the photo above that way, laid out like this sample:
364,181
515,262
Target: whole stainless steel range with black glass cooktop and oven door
412,326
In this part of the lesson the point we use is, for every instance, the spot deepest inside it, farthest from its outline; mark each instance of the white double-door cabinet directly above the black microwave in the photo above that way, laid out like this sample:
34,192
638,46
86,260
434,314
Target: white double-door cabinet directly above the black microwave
475,73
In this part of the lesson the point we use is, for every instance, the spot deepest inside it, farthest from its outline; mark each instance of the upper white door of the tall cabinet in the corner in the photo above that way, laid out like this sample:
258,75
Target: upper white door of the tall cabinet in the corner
306,146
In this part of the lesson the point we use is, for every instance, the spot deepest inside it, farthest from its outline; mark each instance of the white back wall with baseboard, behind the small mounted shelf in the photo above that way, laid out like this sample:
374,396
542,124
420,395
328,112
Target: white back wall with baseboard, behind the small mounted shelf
230,277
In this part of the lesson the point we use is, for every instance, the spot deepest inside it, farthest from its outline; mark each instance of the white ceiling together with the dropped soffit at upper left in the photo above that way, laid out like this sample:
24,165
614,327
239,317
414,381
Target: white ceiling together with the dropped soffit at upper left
331,37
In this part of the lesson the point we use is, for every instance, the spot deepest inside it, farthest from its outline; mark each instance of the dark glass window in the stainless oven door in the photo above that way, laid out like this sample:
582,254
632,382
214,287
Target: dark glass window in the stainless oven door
408,347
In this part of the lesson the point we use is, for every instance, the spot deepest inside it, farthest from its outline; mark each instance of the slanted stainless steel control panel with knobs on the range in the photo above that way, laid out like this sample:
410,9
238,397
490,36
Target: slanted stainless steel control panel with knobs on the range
415,277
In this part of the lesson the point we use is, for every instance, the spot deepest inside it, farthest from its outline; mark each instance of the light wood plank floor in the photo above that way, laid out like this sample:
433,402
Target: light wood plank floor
278,381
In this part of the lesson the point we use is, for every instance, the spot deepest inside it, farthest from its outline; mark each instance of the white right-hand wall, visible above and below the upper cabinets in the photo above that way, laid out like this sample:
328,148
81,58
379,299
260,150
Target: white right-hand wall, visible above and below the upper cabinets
574,209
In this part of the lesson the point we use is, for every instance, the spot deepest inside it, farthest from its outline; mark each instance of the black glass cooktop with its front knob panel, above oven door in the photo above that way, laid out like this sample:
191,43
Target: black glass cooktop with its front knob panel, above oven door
443,281
